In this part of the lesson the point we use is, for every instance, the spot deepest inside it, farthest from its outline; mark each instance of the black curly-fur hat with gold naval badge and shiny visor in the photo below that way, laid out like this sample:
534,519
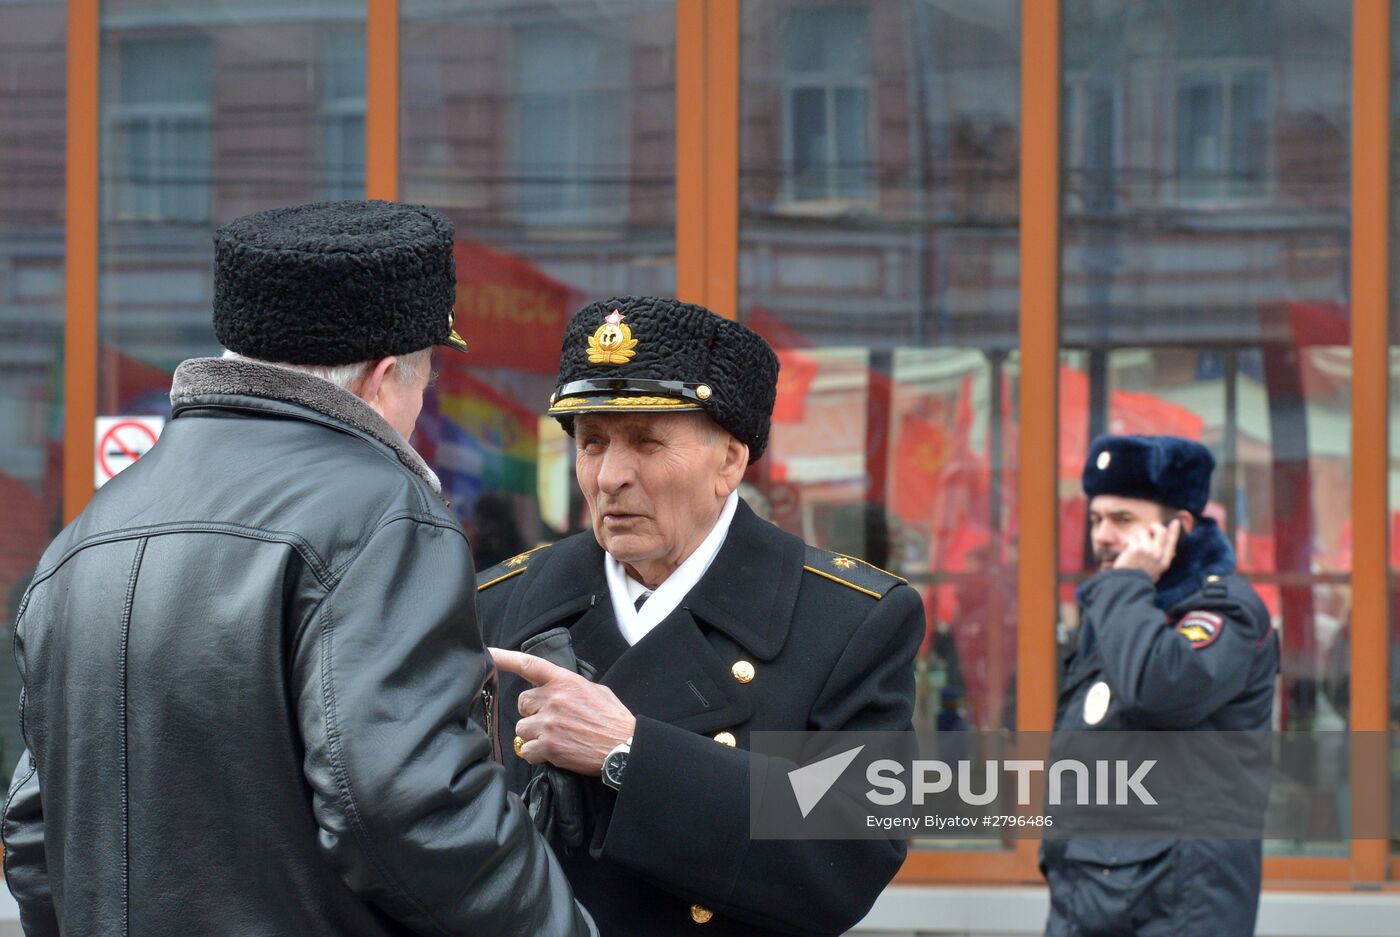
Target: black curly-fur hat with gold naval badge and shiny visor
647,355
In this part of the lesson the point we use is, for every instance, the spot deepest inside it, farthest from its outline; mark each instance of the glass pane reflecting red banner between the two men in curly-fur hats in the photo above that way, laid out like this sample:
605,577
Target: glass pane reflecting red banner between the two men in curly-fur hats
547,132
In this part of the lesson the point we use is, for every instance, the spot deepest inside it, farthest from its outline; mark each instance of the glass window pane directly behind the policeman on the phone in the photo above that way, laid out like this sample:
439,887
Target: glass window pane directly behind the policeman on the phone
1205,274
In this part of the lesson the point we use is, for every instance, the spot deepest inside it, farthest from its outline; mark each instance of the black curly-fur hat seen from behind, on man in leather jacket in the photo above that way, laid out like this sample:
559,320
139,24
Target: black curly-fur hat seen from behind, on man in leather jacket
335,282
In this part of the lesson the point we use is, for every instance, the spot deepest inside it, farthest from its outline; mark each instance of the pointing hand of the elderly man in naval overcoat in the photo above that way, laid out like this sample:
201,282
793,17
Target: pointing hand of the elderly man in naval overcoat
569,722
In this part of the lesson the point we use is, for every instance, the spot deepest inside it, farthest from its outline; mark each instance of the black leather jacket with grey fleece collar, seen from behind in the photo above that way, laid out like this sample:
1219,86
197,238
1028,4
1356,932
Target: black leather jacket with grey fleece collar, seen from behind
250,672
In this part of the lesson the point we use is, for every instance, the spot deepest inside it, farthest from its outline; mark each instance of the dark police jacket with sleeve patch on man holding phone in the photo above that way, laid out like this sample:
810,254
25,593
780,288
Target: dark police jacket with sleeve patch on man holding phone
1195,652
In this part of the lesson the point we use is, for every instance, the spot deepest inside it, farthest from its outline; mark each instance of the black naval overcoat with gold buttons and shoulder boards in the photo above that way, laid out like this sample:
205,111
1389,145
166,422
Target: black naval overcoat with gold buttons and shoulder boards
832,642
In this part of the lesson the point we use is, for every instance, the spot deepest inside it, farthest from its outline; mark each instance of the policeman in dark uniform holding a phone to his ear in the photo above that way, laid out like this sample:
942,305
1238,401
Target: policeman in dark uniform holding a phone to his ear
1170,639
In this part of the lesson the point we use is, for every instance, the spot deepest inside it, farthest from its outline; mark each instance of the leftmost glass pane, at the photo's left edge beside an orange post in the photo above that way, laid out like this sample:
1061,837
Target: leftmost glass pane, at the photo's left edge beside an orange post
33,111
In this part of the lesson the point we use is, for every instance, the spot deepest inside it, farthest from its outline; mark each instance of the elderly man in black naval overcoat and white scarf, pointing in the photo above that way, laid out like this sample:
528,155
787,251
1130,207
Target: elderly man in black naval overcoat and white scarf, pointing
701,624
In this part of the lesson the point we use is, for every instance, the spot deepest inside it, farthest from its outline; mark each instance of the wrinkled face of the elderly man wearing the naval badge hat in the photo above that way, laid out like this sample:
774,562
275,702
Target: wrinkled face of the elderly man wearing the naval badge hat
654,483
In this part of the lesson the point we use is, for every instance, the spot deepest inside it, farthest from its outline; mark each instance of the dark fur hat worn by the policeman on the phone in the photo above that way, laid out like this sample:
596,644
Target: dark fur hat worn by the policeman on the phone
1167,470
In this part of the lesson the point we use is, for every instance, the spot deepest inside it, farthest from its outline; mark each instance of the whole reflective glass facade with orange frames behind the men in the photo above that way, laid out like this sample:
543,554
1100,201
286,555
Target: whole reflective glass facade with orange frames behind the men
1206,237
